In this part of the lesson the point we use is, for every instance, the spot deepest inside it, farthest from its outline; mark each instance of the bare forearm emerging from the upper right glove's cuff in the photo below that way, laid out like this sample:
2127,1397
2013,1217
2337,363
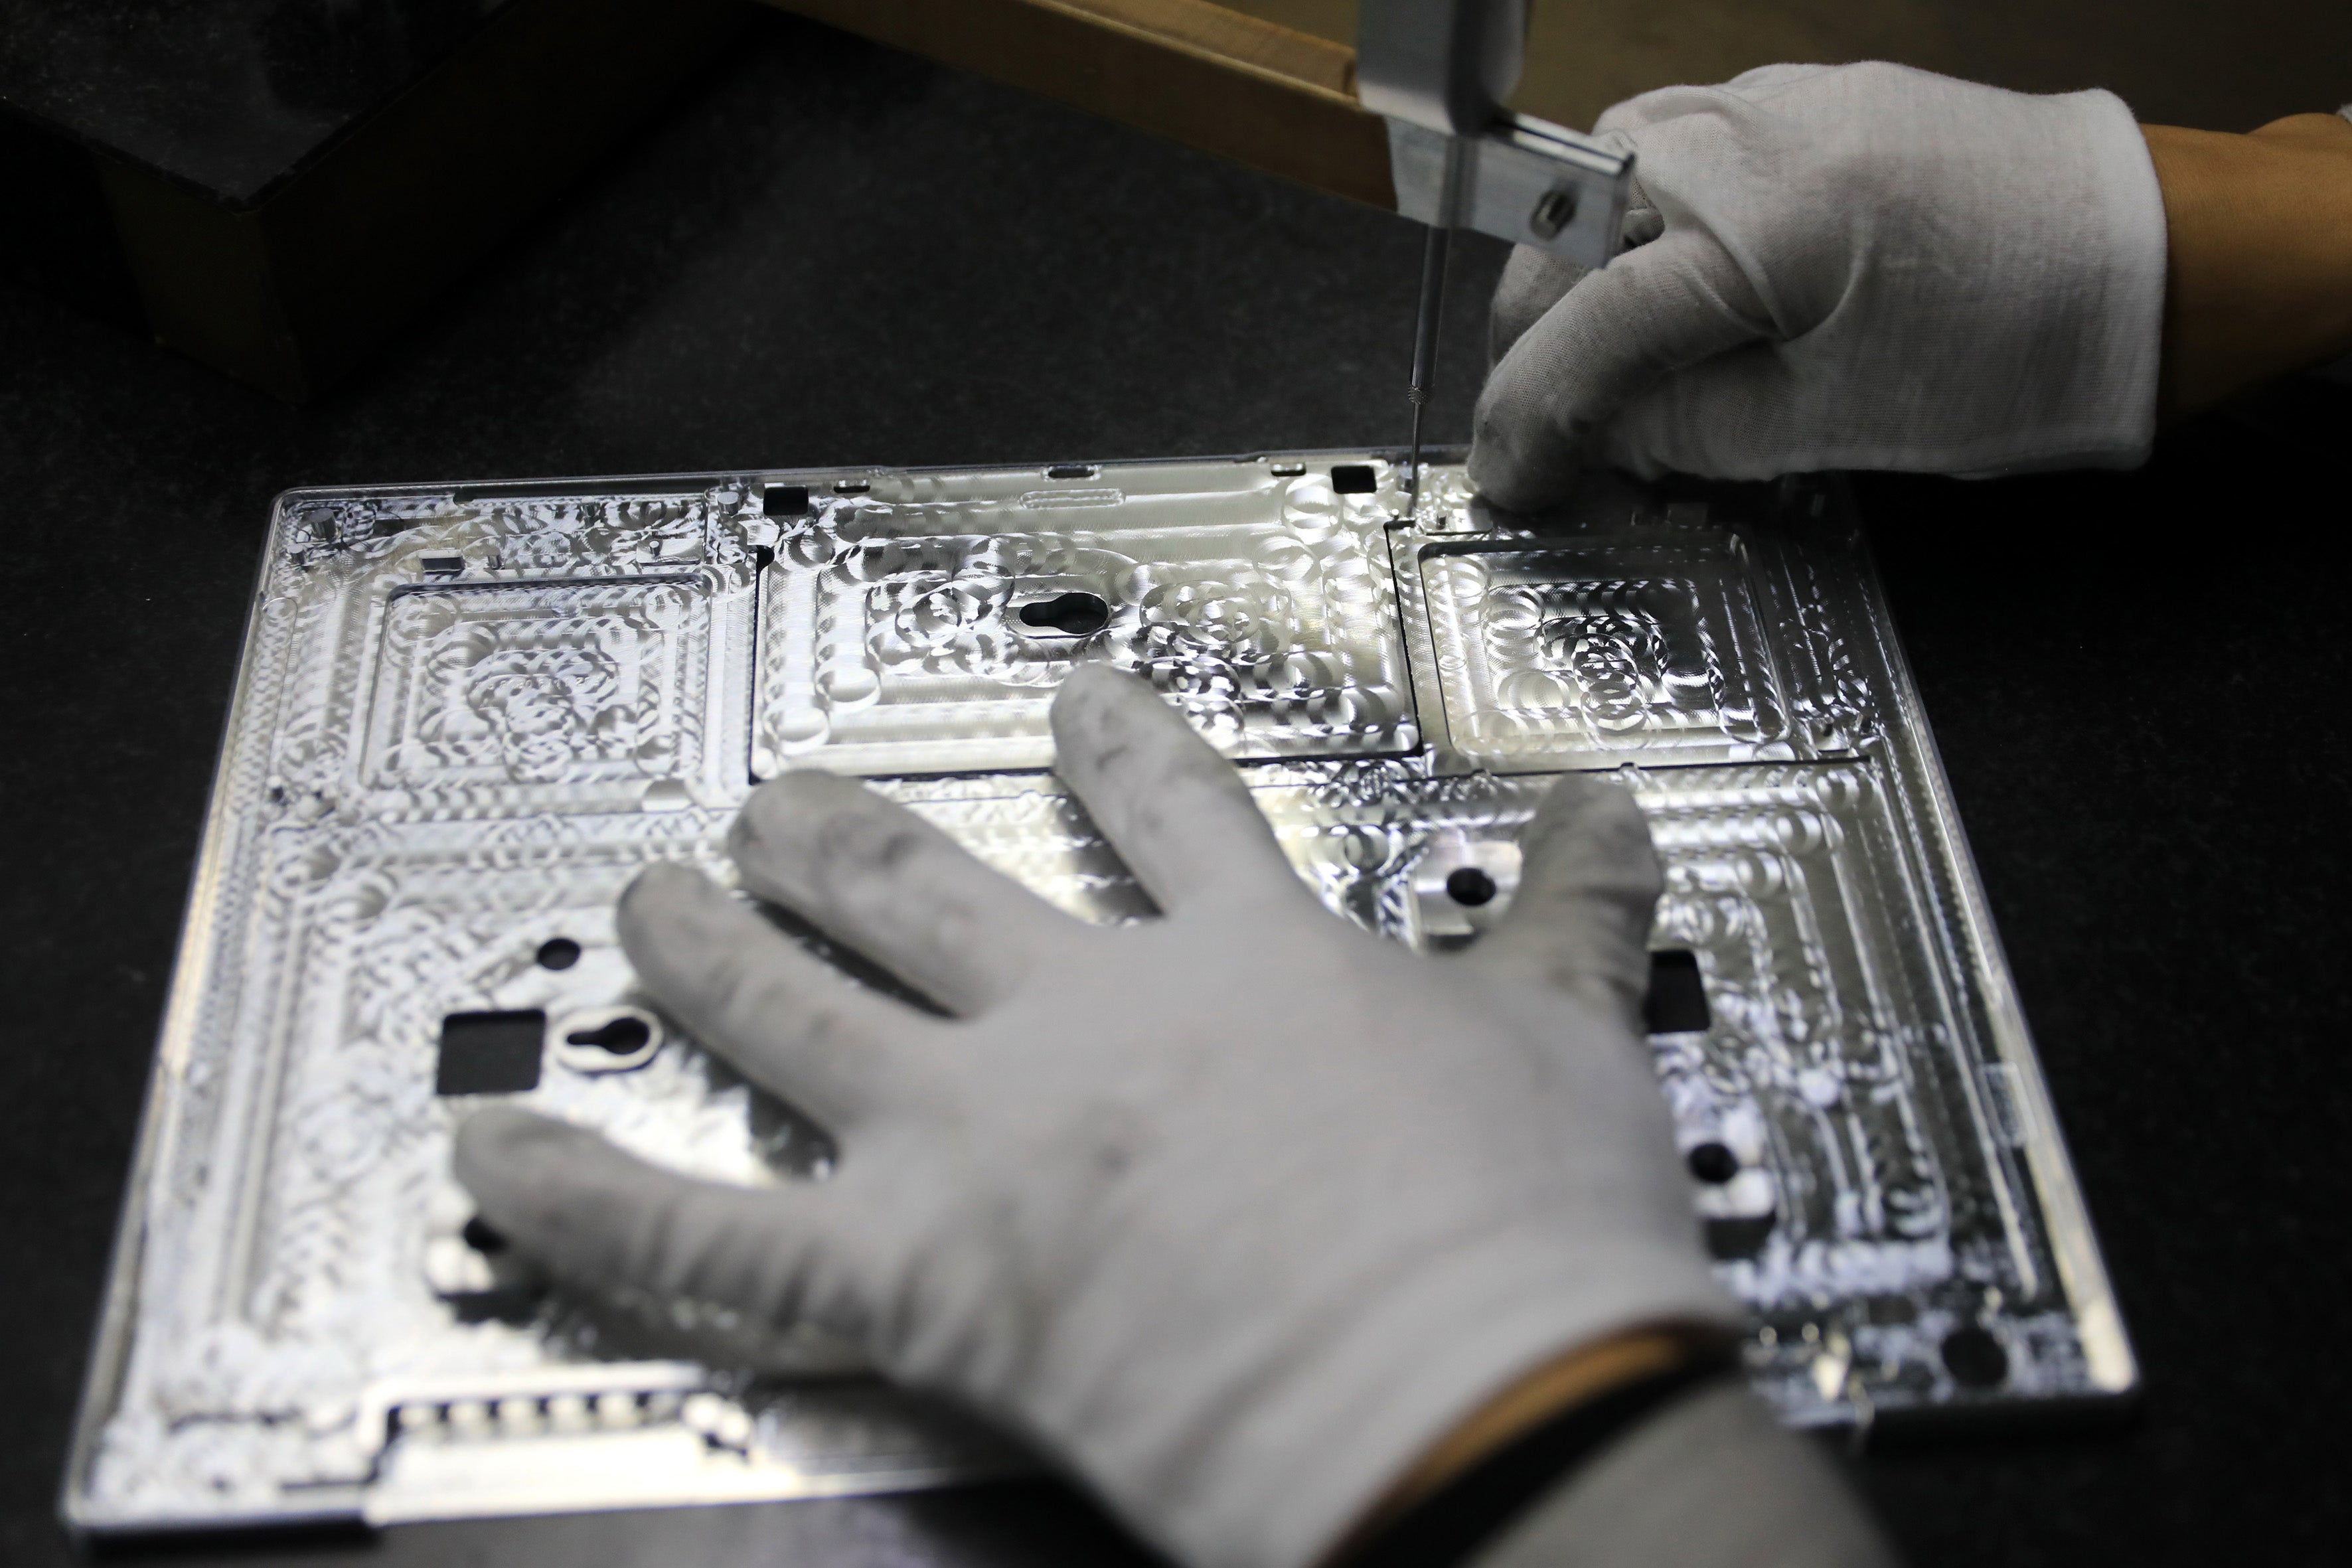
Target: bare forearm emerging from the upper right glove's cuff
2261,255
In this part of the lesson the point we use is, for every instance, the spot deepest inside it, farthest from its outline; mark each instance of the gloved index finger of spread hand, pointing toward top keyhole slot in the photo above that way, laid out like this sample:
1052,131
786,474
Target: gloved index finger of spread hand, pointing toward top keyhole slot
1168,803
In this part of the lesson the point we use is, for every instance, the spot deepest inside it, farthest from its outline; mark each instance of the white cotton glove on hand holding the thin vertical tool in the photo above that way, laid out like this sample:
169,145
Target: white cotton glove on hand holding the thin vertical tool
1843,267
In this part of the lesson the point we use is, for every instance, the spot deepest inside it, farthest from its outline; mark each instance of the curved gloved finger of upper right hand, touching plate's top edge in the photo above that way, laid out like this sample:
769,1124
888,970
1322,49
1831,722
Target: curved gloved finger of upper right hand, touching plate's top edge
1650,314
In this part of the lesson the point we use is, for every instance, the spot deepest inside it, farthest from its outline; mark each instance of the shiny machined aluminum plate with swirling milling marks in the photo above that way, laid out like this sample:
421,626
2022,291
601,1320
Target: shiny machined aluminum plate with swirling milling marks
469,716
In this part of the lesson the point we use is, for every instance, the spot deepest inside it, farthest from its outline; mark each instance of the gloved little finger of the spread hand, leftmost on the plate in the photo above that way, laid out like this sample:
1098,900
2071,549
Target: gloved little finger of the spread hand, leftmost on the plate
594,1214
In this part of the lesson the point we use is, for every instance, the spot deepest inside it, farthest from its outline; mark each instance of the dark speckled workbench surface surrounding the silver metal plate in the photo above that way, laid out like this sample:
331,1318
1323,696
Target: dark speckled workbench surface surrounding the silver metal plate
834,255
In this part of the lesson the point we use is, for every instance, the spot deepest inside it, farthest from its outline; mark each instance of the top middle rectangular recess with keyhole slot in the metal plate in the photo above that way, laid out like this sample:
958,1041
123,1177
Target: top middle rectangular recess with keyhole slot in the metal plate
926,629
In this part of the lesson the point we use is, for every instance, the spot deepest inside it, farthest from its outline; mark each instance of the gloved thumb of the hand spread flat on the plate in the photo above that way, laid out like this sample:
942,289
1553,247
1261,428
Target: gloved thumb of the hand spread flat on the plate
1589,892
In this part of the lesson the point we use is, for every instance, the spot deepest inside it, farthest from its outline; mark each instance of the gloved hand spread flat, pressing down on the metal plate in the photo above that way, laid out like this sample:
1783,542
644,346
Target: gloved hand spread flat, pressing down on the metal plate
1231,1212
